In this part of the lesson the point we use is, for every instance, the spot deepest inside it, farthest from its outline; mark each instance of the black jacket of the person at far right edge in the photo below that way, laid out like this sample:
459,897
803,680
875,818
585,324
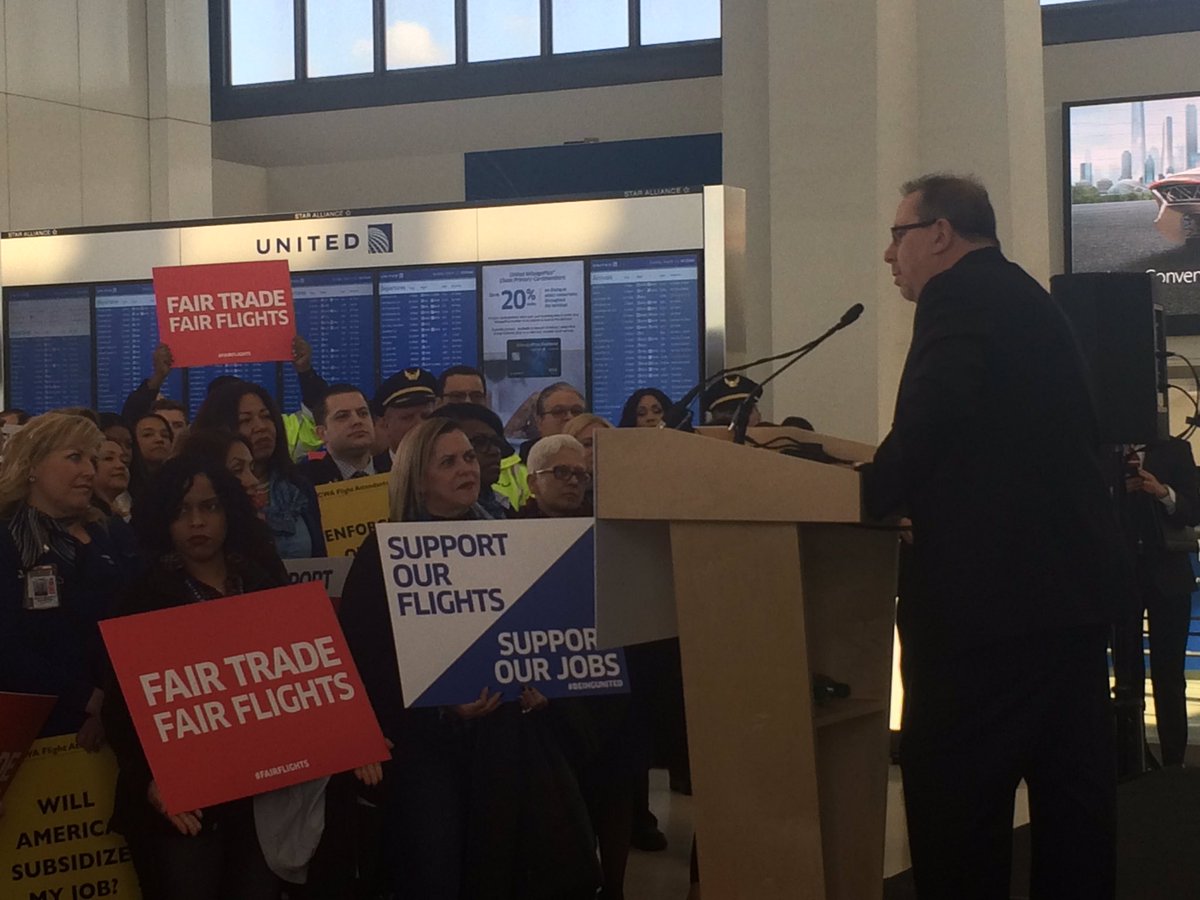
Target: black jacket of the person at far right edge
1144,518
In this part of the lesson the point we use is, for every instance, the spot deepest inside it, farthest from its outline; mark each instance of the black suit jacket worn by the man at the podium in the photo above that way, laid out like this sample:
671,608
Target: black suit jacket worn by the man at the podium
993,454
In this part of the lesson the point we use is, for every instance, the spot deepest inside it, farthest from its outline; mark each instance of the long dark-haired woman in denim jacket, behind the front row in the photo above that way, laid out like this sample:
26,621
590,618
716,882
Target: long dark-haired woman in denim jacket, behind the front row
291,509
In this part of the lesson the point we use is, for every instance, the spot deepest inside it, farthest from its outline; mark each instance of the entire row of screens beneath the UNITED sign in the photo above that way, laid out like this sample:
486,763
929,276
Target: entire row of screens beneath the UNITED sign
609,326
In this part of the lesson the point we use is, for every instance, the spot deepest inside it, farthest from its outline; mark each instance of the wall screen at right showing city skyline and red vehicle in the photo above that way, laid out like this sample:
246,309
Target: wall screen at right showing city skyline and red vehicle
1133,196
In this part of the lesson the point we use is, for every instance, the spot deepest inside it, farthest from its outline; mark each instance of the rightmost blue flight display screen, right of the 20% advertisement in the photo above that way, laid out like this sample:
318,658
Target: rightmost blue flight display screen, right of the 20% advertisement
646,328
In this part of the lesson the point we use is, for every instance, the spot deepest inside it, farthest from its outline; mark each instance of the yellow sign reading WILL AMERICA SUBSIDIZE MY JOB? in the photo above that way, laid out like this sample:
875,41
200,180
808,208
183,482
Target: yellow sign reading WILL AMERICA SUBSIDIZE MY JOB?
55,837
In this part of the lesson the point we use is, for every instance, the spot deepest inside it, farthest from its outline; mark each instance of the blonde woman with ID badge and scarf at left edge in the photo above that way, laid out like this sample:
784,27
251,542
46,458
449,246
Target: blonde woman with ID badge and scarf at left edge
59,572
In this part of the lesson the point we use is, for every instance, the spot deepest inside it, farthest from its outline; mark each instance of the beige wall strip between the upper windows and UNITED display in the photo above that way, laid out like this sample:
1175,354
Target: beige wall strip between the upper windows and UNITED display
394,157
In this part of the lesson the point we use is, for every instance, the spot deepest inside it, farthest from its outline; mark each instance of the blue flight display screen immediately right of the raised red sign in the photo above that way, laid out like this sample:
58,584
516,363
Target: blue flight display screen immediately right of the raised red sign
337,315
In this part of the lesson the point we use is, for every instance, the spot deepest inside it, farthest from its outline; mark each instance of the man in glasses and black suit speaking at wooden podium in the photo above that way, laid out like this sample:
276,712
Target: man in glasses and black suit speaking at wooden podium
1017,565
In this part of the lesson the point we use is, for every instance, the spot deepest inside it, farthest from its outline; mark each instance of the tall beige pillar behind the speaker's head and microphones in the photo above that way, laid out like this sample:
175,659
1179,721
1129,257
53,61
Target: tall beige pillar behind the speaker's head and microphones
861,97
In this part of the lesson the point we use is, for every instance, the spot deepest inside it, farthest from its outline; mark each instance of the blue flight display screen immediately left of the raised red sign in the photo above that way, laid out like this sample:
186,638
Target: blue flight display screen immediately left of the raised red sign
127,335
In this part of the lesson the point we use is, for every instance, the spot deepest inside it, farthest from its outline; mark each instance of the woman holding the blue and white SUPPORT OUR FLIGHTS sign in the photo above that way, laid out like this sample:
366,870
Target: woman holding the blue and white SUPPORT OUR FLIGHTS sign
479,799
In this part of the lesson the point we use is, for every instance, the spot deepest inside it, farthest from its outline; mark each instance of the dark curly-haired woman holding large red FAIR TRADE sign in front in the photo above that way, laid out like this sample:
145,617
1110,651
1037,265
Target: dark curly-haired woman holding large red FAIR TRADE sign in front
206,542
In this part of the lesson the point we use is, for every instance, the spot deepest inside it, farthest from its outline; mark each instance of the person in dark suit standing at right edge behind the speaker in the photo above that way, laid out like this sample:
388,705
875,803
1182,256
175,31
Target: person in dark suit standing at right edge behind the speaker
1162,497
